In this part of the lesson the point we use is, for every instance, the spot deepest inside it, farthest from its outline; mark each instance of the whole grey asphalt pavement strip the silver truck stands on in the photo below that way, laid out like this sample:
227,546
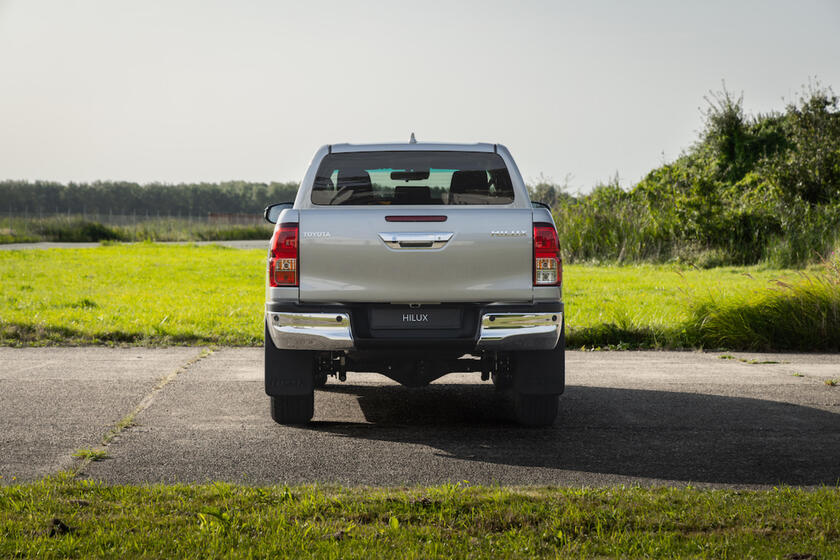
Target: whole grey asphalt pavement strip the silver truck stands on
646,418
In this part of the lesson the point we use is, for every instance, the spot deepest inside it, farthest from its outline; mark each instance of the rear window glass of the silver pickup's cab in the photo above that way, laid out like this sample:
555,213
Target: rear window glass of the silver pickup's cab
370,178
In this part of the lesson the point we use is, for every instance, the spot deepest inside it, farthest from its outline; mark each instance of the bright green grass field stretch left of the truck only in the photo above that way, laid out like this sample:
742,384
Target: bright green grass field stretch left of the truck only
139,294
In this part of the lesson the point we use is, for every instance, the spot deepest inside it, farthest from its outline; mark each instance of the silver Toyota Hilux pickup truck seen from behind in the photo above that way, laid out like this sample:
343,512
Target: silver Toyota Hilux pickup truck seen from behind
413,261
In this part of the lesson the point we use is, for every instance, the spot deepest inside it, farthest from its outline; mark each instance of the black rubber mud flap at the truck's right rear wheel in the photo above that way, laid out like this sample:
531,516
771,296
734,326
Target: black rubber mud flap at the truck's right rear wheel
541,372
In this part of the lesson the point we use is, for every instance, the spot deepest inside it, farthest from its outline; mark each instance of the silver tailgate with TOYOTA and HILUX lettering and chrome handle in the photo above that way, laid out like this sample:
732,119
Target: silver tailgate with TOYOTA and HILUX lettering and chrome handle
356,255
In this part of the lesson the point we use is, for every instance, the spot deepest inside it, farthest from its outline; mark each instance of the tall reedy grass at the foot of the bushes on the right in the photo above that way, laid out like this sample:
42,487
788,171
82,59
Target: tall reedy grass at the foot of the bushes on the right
611,225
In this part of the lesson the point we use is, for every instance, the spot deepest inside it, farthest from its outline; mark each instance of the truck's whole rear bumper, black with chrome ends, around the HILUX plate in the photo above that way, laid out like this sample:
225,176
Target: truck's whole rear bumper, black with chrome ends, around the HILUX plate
493,327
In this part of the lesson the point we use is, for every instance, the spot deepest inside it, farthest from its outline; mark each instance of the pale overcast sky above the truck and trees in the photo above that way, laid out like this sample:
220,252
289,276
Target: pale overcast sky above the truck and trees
181,90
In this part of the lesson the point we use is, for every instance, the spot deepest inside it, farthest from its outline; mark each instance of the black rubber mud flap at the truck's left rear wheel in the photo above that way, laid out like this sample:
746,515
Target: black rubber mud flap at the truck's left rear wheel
288,372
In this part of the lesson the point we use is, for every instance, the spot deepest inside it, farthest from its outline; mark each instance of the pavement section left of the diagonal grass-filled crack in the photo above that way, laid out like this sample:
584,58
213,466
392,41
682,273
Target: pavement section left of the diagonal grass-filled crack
54,401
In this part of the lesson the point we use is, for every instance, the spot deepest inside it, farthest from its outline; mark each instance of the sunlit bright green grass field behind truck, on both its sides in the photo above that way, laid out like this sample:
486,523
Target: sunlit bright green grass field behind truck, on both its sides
155,294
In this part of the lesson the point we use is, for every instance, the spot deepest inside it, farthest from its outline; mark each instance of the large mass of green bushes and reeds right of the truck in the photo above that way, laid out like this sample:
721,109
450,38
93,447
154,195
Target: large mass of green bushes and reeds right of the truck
752,189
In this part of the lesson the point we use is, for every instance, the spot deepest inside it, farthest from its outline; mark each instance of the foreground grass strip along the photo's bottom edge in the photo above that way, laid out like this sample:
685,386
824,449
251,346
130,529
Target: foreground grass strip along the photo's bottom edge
64,518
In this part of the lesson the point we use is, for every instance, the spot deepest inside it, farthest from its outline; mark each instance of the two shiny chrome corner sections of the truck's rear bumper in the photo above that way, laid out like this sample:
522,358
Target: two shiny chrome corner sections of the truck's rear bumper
332,332
